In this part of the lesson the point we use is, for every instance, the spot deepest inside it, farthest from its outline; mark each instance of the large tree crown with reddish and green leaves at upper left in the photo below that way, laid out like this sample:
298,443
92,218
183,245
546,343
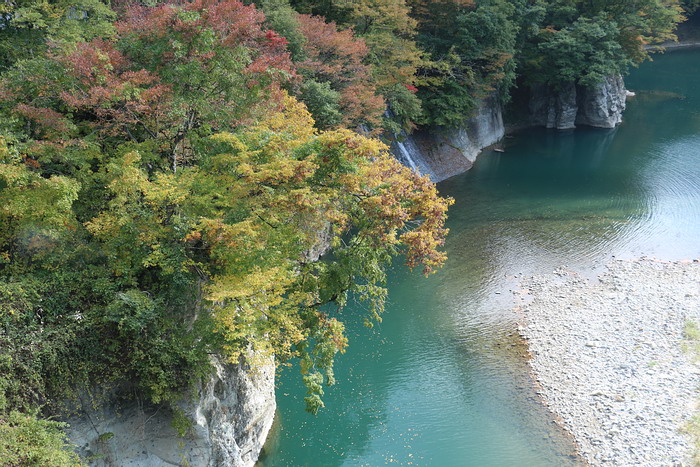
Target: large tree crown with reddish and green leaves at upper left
167,57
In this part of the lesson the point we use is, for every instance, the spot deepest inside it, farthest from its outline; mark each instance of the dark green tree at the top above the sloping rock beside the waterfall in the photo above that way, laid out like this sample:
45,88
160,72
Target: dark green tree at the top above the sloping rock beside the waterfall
473,57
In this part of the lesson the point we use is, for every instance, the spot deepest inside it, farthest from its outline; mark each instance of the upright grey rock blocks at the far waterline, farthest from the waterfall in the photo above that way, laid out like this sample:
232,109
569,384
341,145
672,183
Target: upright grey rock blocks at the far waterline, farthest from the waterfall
600,106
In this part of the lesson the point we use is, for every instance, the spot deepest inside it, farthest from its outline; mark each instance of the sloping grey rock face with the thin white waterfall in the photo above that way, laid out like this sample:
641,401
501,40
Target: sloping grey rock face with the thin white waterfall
442,153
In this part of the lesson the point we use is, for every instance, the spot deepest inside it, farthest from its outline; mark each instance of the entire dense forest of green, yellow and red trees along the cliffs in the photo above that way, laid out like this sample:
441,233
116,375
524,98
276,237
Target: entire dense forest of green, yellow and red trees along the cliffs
170,173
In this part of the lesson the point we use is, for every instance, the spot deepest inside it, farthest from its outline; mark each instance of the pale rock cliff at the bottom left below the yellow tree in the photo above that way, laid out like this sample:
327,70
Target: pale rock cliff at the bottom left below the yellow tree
230,417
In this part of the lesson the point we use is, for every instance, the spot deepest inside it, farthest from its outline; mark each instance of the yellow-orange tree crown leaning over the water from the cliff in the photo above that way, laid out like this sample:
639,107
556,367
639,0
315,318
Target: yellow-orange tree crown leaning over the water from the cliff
279,188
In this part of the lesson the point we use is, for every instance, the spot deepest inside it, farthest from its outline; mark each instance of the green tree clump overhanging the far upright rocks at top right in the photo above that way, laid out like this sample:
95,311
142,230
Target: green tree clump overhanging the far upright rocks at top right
589,40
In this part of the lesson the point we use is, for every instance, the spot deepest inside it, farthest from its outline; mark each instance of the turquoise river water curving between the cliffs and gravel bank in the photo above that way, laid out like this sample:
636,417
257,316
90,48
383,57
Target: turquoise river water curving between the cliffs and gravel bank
442,381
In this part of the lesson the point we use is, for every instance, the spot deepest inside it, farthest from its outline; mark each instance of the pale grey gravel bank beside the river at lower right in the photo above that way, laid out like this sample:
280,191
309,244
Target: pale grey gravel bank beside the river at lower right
608,356
